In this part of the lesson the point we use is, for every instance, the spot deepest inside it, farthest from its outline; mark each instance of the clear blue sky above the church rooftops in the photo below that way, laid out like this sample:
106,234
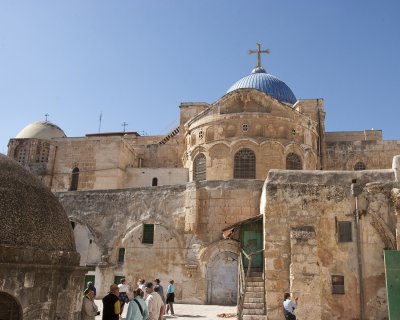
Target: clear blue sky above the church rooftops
136,61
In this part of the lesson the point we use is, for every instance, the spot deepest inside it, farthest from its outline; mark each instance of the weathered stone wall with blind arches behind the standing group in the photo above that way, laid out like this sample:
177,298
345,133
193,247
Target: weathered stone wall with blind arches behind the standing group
187,219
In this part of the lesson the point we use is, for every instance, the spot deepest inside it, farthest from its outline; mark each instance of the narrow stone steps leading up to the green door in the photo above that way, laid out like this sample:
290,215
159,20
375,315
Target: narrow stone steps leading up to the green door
254,305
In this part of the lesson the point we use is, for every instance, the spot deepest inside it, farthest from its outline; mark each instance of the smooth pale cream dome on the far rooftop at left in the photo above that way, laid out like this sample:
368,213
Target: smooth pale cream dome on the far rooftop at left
41,130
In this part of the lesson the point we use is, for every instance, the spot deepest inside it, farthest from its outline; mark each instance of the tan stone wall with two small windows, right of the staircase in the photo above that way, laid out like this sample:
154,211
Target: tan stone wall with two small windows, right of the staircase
302,248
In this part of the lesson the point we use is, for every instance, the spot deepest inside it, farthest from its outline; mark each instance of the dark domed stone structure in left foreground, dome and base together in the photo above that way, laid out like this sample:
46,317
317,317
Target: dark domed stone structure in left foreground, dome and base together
40,277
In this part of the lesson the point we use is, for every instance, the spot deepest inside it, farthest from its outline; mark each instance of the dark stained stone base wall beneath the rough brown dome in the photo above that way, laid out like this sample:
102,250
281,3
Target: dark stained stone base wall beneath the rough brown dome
44,284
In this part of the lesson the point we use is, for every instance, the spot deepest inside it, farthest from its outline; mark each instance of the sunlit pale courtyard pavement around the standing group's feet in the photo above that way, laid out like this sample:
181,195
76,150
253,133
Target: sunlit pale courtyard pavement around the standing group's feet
189,312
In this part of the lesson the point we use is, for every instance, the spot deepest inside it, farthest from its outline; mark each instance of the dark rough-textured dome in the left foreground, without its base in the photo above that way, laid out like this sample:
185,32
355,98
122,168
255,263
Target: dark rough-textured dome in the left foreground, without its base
30,215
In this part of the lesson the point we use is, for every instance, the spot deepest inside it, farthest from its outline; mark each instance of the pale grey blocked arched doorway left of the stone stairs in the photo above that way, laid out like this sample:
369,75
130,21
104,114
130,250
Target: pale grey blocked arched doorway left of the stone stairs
222,279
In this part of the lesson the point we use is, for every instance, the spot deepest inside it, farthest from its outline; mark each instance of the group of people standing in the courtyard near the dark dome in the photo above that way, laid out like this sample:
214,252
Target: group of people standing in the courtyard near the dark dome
148,301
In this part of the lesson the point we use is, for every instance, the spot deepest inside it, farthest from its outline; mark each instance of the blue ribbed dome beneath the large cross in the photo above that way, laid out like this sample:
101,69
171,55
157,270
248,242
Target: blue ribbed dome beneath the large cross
260,80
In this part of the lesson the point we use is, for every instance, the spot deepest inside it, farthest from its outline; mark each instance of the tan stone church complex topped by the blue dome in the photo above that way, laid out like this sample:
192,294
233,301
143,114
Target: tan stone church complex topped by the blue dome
155,206
